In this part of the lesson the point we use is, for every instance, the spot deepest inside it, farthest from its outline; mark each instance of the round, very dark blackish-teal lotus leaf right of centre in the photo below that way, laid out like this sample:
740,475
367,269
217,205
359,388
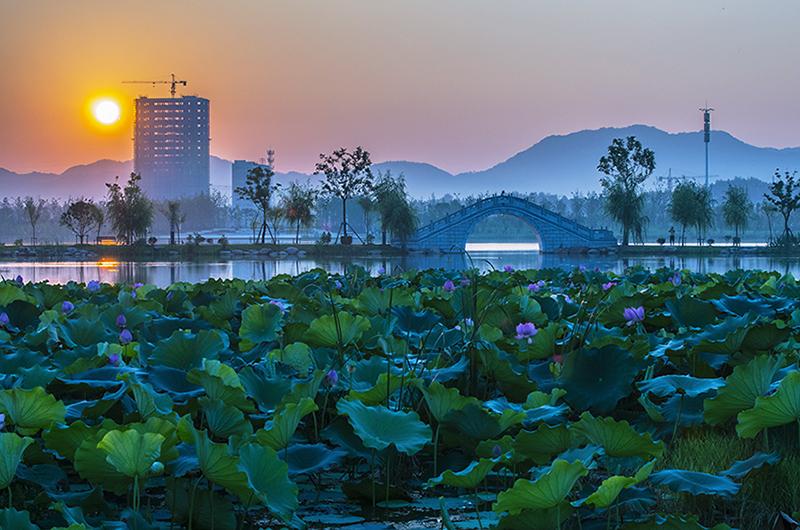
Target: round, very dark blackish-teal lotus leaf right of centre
597,378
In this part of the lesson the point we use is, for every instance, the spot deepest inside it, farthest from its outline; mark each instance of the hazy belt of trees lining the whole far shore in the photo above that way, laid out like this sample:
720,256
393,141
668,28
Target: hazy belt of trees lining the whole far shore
350,195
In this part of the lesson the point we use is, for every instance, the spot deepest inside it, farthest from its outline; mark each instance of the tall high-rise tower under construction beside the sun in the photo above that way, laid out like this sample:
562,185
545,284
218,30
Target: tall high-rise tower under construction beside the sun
171,146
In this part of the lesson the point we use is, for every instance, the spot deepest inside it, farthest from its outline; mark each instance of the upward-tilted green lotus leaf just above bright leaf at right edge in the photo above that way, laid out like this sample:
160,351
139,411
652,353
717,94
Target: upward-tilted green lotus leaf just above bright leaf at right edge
742,387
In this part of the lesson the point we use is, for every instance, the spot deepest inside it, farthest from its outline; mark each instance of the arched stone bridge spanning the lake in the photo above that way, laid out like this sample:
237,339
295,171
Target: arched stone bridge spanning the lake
556,232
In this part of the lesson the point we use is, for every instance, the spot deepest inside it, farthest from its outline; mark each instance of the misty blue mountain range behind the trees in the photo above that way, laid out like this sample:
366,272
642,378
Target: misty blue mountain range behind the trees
557,164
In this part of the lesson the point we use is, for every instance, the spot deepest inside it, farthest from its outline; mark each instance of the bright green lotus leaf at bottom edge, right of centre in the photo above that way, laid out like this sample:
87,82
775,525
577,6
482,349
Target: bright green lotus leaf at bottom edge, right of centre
547,491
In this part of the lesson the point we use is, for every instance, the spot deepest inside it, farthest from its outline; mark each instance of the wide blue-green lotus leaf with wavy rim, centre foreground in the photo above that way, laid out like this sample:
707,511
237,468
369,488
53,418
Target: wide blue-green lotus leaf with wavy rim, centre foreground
379,427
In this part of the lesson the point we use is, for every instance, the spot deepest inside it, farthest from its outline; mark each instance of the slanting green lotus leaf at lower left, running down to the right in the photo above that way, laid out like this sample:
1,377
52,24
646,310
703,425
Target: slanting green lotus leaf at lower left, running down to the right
215,460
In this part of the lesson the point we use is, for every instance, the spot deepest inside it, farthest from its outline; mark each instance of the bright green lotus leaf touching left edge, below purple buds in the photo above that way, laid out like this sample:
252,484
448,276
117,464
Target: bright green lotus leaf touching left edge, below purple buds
31,409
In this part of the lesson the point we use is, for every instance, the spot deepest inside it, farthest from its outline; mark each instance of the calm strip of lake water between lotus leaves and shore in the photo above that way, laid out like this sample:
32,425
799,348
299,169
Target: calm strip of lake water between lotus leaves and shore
483,256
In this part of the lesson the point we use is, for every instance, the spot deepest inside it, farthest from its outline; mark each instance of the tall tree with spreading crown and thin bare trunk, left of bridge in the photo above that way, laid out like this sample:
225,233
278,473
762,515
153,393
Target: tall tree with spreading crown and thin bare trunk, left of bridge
347,174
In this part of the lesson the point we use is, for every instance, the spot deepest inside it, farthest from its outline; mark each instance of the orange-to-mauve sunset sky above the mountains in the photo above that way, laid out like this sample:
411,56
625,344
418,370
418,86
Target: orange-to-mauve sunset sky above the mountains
458,83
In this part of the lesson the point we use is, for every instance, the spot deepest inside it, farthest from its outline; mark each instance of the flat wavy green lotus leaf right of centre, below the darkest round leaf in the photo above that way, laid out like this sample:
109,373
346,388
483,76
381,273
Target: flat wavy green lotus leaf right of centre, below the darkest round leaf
617,438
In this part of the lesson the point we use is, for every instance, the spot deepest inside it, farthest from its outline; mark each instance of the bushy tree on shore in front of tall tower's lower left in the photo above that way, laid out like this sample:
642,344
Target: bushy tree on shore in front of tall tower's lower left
129,209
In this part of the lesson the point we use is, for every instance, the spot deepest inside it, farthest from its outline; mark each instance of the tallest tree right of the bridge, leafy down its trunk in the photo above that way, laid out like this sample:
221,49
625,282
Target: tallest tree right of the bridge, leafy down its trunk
626,166
